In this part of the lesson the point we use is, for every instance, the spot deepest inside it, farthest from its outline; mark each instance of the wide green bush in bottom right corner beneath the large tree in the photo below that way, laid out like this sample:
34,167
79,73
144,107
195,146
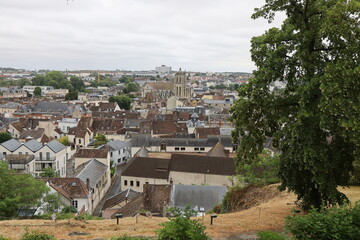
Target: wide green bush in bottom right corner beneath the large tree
332,223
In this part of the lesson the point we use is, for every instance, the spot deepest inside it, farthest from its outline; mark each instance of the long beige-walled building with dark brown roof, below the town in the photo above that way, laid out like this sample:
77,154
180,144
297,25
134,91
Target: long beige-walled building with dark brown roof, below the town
179,169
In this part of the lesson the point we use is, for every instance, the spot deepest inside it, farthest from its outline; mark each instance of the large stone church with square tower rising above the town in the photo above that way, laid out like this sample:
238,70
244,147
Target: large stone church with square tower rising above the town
178,87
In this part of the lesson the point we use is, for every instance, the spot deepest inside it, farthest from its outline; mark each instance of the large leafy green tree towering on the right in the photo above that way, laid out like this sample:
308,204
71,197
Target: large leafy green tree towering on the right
314,121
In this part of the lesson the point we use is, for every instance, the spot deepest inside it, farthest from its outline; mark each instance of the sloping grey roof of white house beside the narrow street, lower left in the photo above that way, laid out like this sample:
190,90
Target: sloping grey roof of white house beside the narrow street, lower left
93,170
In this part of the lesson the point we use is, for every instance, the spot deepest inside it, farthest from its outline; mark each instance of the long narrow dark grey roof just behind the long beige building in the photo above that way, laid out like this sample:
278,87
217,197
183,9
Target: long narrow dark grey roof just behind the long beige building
146,140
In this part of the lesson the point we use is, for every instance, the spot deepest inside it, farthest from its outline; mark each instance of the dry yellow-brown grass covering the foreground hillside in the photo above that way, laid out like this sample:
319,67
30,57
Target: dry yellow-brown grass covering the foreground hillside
266,216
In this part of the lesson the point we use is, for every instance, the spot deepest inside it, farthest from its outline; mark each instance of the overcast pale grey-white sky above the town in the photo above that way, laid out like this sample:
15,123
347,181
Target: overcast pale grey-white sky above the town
197,35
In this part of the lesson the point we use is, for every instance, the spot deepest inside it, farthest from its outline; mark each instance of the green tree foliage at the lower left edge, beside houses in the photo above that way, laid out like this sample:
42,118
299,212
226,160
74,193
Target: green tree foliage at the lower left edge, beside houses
18,191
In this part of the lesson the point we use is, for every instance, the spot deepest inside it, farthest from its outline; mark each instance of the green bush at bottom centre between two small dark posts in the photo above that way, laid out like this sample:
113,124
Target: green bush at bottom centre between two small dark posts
181,227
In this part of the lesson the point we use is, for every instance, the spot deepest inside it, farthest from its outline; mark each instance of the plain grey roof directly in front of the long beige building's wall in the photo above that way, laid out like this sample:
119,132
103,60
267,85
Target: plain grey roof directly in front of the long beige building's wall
197,196
